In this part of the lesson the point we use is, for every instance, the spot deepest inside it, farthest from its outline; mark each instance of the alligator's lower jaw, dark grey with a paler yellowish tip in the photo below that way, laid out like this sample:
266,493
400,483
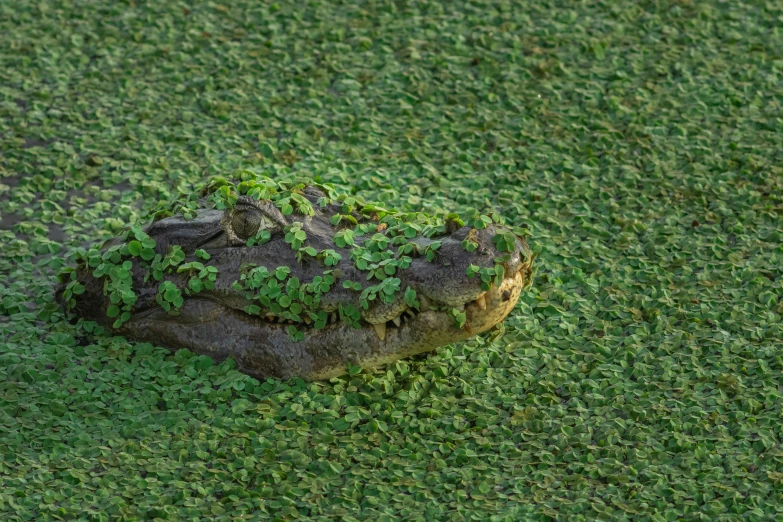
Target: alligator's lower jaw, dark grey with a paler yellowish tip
264,349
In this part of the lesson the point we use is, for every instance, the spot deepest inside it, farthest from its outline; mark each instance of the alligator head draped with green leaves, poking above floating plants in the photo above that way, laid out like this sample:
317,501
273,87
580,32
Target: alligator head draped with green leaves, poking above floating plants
293,279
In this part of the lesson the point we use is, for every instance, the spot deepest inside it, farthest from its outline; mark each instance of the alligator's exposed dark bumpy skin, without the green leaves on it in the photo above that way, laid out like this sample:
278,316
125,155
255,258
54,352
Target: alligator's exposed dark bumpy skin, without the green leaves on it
216,322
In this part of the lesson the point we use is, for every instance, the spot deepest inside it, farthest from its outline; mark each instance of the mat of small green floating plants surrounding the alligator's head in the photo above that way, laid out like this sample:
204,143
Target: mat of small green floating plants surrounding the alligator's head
642,143
